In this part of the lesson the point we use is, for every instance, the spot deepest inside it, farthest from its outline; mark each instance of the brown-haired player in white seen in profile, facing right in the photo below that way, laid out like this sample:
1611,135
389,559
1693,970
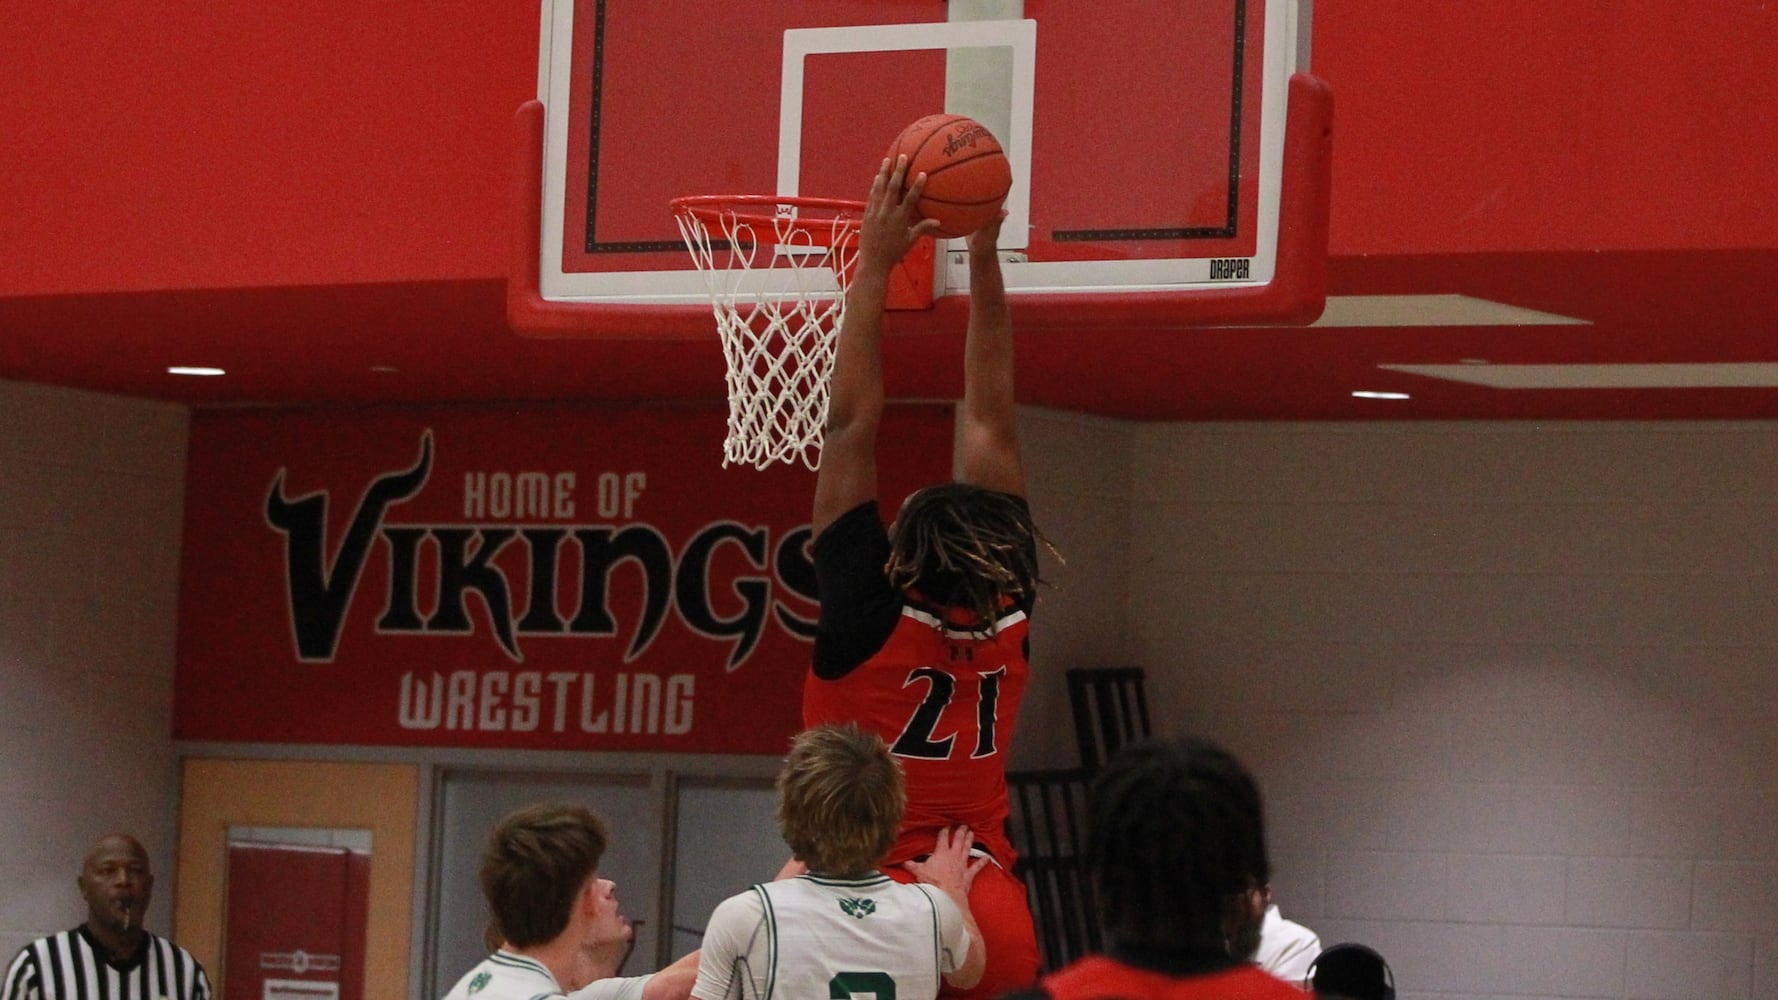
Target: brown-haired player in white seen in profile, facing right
557,923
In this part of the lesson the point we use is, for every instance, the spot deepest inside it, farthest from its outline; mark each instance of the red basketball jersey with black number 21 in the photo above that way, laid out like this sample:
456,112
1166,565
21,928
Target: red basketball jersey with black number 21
945,700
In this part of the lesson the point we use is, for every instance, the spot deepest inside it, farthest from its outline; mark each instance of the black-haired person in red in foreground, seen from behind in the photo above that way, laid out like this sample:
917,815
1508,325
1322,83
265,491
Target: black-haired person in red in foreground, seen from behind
1176,846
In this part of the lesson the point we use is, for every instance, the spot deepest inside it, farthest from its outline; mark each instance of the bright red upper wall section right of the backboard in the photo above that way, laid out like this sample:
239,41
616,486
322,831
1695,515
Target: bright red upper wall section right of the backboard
1509,125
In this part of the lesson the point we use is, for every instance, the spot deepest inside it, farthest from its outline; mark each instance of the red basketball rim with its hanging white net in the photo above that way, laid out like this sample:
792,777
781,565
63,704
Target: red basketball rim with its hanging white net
776,271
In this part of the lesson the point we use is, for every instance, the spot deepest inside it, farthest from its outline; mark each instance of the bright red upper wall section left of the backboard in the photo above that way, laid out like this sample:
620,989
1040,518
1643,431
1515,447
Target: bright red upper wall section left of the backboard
230,145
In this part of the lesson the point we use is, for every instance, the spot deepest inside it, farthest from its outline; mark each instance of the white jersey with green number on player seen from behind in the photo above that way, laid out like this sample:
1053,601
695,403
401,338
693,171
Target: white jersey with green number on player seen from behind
831,939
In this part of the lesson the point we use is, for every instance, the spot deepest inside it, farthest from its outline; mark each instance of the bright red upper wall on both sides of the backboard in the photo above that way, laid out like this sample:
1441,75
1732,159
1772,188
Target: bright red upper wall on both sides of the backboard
244,145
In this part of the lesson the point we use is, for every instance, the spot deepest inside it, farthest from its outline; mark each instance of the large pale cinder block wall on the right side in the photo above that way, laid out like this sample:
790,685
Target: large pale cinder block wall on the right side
1512,690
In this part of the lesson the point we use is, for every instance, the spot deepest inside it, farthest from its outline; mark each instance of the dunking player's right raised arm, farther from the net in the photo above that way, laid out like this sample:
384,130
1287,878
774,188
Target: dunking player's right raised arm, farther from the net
989,421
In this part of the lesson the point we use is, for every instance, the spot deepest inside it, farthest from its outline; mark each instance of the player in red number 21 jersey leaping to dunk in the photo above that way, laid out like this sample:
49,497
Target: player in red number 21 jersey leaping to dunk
924,625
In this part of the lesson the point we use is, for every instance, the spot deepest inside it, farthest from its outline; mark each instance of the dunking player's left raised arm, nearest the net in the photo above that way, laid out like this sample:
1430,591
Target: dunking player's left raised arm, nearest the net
856,396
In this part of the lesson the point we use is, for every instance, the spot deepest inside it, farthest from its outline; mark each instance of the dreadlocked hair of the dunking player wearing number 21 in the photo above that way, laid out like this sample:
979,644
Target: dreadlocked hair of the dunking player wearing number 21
966,547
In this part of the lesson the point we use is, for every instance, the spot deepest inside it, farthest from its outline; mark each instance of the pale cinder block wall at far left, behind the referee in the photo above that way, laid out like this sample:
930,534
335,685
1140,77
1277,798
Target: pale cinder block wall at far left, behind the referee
92,494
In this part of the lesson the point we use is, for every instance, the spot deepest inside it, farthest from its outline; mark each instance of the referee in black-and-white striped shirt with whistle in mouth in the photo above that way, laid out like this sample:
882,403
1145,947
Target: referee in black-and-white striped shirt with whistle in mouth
109,956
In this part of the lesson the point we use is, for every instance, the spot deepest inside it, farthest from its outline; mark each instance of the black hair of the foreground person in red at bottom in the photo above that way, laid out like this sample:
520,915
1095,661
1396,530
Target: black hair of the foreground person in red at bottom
1174,832
